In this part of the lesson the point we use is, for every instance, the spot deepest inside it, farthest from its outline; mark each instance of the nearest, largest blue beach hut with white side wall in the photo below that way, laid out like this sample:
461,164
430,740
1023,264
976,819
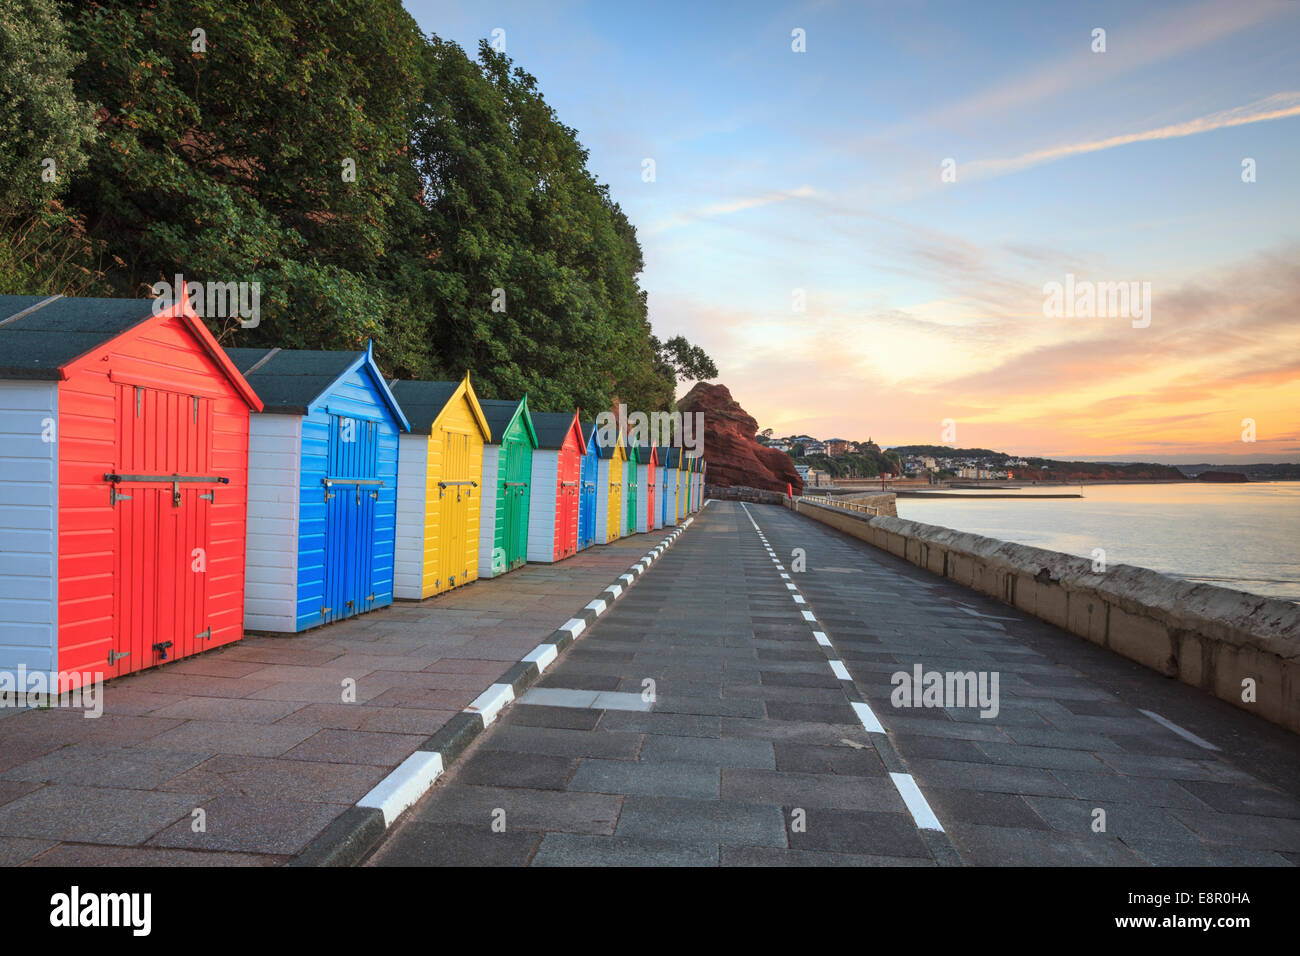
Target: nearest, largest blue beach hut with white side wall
323,469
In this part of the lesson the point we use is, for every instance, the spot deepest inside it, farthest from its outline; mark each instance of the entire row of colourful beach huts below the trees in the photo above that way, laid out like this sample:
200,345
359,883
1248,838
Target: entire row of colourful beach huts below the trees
161,495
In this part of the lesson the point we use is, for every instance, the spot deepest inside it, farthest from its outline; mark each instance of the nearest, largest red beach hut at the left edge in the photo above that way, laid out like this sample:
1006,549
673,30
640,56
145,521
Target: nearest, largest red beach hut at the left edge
129,449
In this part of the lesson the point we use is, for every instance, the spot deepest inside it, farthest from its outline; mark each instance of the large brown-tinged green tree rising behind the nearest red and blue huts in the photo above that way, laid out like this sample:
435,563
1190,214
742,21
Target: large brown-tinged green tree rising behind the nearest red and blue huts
223,155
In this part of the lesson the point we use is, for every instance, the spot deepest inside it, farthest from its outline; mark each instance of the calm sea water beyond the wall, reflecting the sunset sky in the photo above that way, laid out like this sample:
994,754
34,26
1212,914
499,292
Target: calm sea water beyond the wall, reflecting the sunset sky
1236,537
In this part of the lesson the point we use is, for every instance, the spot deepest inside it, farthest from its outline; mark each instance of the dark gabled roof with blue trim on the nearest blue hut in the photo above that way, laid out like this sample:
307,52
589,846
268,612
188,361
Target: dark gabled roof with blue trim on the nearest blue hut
292,382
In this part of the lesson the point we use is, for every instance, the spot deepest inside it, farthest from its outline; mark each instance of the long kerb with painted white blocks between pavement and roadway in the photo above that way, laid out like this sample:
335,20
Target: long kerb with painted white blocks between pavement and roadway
361,828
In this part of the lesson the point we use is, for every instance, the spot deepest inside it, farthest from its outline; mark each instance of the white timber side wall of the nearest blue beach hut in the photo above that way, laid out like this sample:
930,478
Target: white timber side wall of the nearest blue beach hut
275,486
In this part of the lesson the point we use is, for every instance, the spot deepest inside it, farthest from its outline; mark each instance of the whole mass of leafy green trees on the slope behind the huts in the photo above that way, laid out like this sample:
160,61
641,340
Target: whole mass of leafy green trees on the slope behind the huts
473,236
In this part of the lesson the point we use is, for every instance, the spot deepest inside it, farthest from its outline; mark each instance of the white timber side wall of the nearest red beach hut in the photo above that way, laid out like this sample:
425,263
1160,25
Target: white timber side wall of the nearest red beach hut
29,526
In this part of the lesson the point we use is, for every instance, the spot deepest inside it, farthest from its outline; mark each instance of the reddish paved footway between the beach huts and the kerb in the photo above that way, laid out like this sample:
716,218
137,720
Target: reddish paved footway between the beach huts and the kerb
258,736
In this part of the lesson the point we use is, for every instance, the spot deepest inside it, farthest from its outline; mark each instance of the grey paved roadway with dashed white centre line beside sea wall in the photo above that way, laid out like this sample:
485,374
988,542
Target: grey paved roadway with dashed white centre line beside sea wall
757,749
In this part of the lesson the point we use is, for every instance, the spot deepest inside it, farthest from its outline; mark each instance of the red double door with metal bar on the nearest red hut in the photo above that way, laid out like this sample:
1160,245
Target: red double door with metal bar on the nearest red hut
162,494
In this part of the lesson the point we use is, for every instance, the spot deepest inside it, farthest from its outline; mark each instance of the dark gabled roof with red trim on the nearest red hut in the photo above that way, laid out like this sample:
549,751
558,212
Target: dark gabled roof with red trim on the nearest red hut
41,336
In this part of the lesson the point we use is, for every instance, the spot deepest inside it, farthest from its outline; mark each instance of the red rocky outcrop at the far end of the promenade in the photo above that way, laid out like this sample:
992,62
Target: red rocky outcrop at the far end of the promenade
731,452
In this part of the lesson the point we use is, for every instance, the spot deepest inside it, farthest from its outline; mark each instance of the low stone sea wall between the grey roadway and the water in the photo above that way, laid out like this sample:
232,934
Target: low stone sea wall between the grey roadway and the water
1211,638
